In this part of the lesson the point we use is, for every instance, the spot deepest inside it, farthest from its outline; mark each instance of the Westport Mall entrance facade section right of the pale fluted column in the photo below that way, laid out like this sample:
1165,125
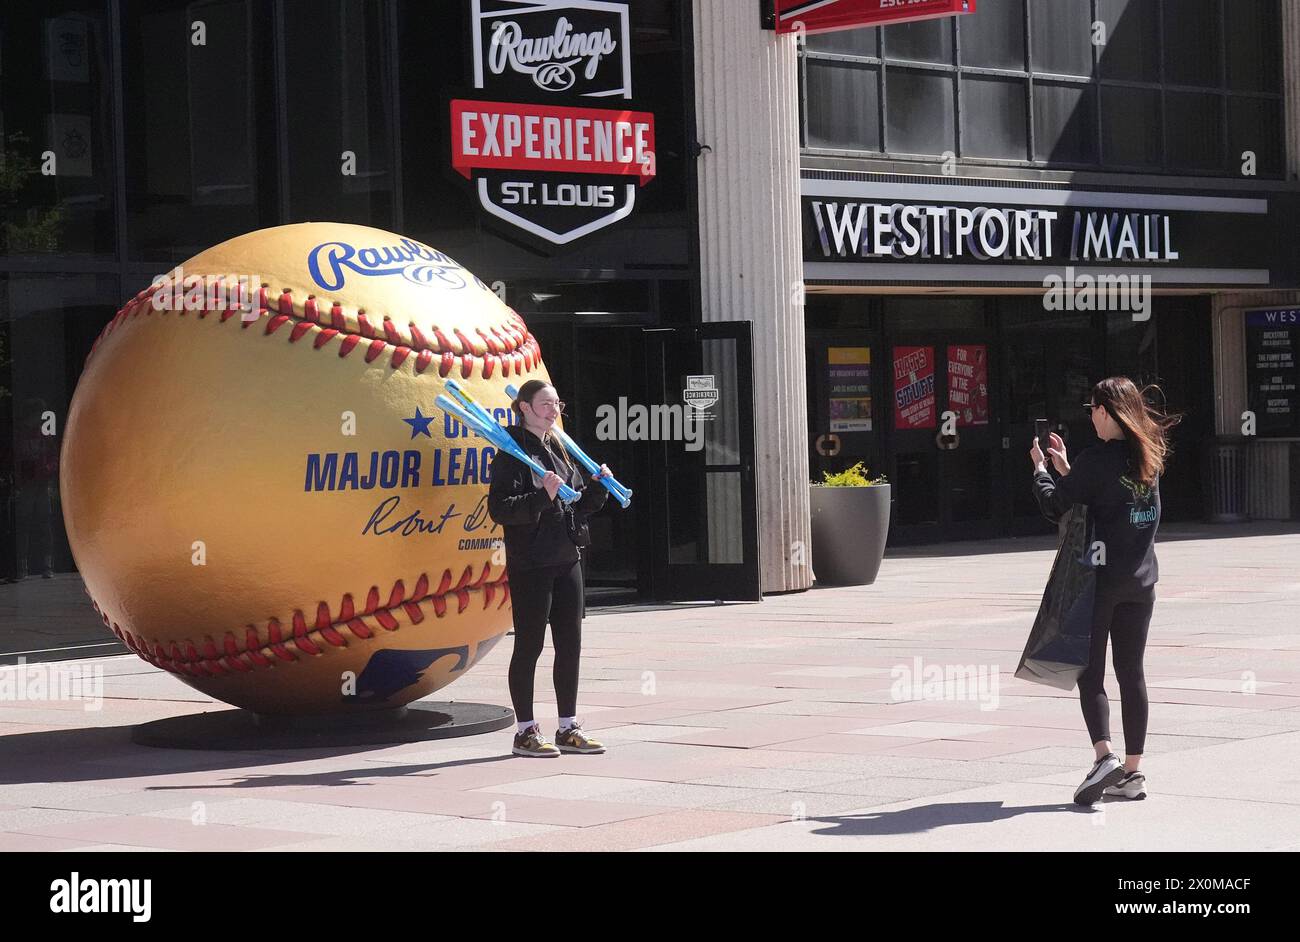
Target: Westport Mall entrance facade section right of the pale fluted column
1003,209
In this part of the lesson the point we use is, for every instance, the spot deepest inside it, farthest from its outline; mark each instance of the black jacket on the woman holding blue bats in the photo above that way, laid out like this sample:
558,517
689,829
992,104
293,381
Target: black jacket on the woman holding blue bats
536,531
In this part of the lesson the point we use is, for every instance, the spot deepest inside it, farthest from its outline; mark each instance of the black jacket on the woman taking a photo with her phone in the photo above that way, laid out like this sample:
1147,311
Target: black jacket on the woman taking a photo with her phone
1125,513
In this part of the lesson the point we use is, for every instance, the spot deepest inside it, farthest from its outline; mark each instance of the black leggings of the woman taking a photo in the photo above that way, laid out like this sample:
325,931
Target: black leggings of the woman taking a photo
1126,619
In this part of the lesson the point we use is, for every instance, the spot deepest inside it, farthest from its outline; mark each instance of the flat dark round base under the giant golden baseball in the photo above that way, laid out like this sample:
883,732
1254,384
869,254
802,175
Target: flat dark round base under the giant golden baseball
240,730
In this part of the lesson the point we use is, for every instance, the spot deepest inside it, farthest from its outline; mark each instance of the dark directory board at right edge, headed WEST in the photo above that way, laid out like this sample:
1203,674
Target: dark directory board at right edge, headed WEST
1272,338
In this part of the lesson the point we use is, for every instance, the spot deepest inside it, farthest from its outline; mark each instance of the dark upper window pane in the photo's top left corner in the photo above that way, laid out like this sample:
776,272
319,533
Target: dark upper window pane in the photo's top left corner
55,97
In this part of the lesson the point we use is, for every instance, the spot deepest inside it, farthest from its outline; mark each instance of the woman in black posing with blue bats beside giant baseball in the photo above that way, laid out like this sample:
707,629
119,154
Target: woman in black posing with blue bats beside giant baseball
544,561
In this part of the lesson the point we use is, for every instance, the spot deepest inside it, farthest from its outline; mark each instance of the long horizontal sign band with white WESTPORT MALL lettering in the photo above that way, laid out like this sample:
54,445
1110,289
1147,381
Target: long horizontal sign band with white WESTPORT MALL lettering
883,232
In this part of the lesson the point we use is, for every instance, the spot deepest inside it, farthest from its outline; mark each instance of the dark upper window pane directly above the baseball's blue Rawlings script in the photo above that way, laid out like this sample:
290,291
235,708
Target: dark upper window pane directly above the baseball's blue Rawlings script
336,105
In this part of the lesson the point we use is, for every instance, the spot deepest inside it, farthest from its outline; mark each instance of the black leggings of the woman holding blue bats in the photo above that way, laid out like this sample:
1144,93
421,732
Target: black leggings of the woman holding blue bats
538,596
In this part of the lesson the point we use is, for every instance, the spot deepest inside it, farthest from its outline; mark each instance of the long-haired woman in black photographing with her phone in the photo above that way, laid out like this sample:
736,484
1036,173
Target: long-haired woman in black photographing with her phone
1119,481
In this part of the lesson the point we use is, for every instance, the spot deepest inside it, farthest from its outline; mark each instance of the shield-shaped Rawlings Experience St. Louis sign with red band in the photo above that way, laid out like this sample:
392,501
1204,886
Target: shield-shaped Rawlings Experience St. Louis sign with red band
541,158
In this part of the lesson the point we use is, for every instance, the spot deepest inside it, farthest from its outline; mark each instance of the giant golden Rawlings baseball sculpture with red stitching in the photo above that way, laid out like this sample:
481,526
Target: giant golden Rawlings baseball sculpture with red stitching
265,501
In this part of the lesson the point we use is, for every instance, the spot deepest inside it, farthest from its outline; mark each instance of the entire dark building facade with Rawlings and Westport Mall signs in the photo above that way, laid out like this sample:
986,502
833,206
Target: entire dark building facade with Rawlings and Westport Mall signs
899,246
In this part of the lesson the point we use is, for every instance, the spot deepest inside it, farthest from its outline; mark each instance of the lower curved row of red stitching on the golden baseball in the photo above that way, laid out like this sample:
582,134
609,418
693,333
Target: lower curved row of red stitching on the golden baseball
206,659
